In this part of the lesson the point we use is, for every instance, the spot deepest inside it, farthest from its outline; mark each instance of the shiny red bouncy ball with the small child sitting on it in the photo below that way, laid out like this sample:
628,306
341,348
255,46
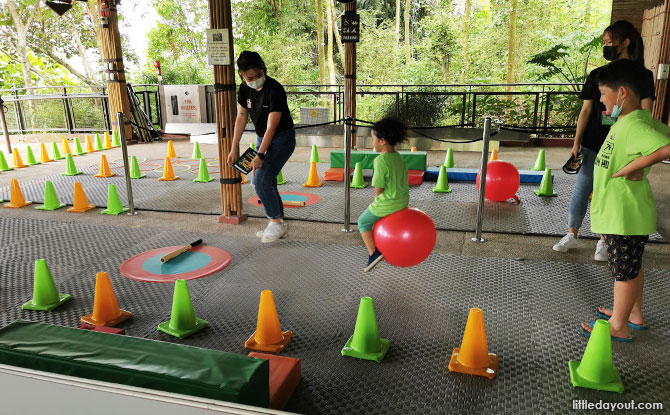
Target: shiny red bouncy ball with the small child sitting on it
406,237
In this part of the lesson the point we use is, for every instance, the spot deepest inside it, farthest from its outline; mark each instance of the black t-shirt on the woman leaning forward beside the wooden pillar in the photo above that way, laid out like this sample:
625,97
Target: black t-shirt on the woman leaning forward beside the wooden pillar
271,98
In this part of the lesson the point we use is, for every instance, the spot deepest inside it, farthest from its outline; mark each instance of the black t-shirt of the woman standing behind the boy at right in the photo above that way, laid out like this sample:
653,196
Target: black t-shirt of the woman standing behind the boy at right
595,133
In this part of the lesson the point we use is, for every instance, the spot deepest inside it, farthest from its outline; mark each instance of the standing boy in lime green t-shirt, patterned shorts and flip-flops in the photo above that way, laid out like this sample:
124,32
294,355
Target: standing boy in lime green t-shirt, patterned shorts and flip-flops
623,207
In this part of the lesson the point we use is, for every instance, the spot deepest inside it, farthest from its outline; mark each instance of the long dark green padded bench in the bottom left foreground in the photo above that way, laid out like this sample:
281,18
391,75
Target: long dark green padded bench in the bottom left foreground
136,362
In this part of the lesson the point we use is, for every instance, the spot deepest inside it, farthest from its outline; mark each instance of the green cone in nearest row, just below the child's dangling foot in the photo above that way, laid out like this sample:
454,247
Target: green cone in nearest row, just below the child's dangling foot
365,343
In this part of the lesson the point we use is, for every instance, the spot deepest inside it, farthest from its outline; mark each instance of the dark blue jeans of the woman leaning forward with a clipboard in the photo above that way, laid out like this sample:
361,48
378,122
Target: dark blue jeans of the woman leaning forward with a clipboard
265,180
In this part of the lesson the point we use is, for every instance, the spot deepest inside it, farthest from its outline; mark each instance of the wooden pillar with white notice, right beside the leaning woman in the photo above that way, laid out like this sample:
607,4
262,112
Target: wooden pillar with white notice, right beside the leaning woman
220,17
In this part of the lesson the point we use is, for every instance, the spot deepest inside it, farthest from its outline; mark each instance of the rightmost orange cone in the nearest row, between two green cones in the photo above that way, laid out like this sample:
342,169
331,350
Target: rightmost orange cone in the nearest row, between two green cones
473,356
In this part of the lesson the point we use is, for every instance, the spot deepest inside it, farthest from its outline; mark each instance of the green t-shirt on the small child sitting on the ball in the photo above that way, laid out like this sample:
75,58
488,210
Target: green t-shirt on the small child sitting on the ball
390,172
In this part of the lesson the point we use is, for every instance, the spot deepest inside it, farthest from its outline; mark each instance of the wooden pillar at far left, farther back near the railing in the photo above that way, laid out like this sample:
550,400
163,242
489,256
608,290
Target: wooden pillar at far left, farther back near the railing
112,60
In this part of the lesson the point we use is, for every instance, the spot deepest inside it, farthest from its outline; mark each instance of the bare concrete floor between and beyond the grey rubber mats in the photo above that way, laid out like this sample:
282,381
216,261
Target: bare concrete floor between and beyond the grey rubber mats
497,245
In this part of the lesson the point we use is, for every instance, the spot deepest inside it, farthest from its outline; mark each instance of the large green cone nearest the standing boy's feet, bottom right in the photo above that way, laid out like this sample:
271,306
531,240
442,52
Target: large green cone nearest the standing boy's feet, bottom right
596,370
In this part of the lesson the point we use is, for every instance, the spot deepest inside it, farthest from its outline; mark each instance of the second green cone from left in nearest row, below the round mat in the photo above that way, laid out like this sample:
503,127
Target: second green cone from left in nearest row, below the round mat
183,321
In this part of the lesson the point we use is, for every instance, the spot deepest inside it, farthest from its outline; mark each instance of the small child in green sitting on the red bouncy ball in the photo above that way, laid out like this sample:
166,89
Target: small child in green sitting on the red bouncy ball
389,180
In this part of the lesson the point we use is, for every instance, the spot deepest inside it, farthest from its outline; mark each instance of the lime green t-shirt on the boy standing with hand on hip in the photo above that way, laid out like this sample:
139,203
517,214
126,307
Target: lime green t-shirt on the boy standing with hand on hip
621,206
